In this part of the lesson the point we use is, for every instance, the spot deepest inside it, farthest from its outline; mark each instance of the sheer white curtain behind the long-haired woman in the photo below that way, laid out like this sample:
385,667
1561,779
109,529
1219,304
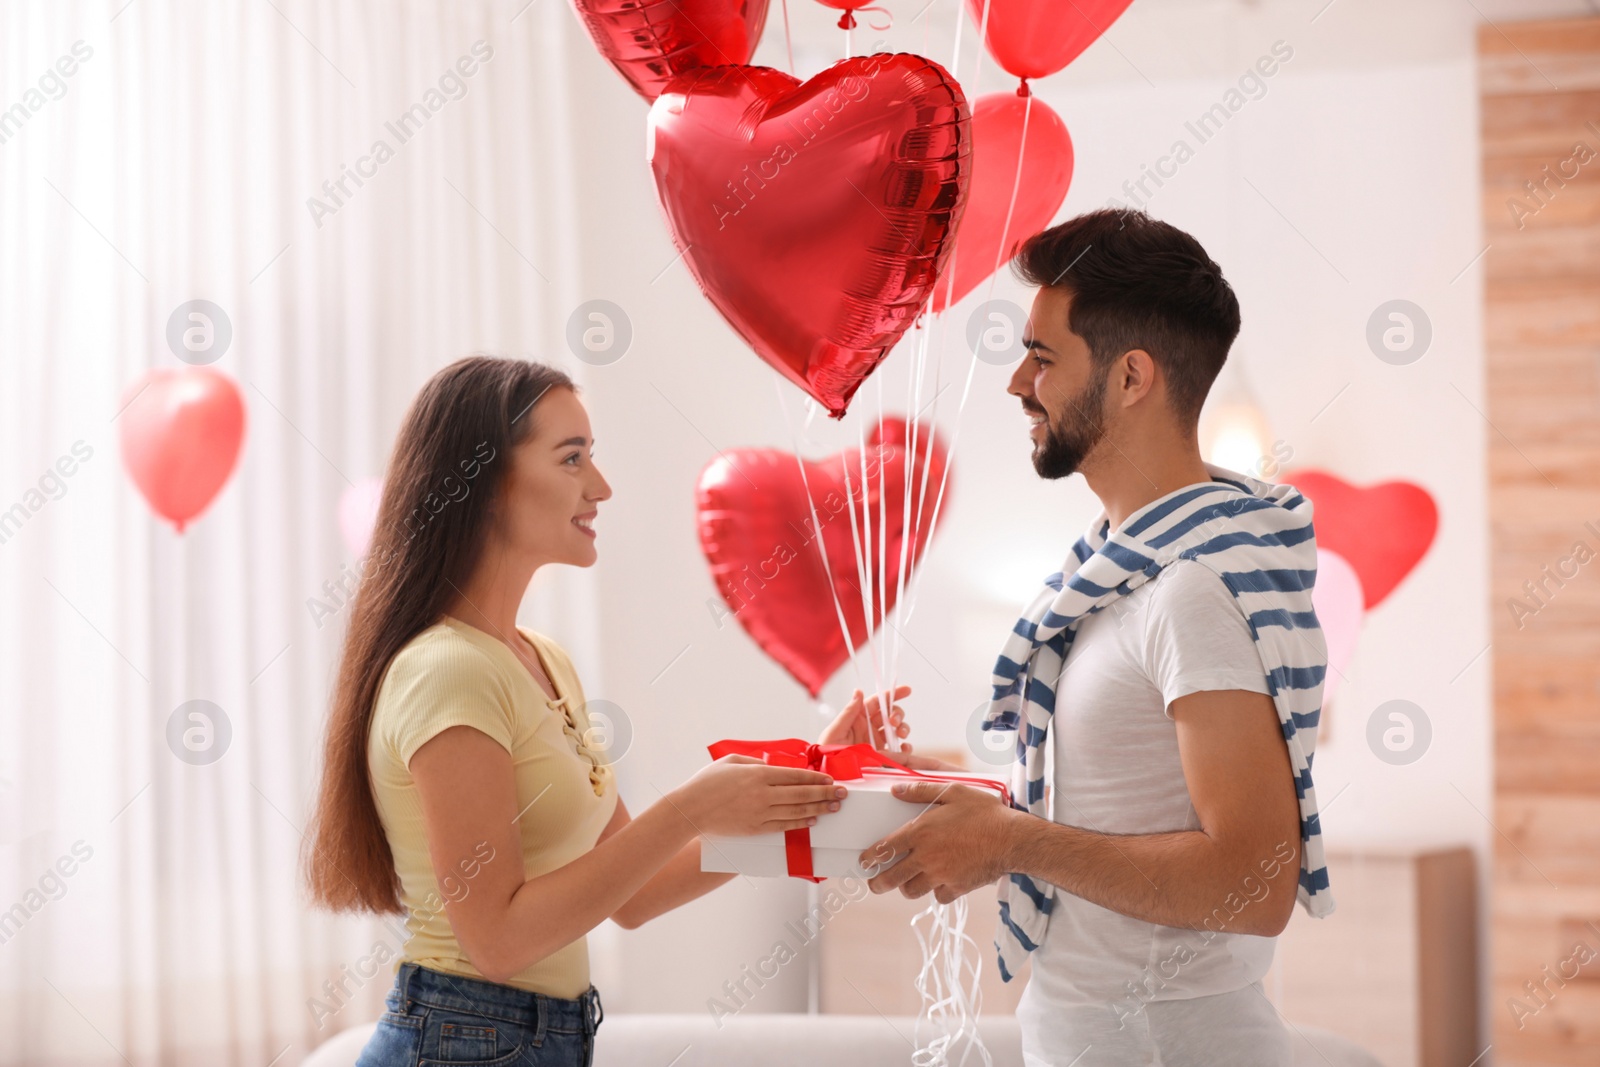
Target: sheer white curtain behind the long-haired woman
150,908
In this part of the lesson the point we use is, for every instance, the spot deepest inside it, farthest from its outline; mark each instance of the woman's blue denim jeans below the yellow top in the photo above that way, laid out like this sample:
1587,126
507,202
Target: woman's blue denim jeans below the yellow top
446,1020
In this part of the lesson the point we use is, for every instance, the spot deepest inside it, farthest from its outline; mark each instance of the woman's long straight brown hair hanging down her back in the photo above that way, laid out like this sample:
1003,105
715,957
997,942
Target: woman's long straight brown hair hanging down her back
444,478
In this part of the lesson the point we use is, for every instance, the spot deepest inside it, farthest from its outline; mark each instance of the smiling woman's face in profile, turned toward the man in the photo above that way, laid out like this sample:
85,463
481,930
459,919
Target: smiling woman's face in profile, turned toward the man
551,494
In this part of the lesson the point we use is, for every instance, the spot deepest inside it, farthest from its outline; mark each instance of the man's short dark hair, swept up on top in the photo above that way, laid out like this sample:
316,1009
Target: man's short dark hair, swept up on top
1140,284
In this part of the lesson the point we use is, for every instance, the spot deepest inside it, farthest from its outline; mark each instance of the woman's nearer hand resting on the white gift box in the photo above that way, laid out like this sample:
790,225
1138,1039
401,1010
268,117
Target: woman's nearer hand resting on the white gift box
738,796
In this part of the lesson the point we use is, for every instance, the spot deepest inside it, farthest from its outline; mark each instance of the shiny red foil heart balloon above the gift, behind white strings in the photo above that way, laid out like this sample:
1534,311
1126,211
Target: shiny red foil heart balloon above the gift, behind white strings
758,530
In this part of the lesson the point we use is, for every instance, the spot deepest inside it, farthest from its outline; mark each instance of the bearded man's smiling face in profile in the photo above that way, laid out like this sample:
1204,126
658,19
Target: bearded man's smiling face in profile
1060,388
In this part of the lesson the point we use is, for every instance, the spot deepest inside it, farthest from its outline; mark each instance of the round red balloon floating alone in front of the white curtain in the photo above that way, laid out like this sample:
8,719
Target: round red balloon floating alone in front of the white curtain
180,434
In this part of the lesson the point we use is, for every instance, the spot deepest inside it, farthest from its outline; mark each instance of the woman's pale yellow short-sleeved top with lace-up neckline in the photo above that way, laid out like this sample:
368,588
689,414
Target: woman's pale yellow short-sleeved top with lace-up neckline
454,674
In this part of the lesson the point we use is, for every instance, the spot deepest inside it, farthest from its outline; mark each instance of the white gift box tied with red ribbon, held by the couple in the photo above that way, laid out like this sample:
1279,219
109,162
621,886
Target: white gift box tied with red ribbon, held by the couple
868,815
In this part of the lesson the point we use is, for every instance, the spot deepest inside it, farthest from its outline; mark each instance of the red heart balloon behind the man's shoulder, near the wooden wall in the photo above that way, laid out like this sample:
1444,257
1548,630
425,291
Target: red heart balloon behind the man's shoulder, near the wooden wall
1382,530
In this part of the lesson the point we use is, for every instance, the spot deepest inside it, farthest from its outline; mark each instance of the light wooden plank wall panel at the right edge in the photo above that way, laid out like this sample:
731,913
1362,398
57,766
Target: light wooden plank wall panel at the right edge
1540,87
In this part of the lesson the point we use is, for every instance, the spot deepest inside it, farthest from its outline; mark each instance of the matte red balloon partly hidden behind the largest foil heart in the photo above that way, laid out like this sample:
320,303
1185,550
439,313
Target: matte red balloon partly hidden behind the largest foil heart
991,214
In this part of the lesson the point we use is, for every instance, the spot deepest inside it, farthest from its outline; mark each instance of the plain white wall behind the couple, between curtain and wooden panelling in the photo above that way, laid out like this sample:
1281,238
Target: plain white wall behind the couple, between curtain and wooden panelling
1353,182
